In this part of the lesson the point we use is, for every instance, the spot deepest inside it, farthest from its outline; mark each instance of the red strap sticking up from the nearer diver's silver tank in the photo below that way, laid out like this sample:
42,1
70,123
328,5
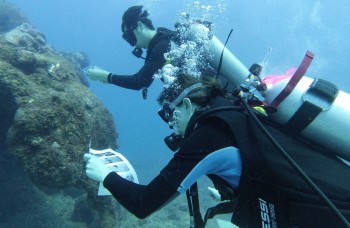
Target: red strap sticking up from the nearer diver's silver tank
299,73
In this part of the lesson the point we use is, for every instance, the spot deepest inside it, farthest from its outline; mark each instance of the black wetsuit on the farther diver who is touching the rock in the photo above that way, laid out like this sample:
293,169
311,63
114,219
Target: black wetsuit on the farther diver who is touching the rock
159,45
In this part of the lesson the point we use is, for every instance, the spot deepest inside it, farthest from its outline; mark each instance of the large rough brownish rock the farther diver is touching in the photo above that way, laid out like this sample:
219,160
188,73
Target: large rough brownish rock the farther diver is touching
48,117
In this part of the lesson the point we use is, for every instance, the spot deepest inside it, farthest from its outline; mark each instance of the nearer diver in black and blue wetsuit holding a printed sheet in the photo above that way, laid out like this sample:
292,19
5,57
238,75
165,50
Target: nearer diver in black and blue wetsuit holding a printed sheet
216,136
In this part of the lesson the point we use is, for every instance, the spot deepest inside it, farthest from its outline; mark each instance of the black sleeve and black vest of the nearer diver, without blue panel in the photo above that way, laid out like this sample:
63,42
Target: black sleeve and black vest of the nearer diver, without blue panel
270,191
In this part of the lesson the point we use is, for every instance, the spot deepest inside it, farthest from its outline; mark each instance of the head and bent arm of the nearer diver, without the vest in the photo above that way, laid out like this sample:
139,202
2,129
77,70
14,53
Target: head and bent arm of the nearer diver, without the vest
206,147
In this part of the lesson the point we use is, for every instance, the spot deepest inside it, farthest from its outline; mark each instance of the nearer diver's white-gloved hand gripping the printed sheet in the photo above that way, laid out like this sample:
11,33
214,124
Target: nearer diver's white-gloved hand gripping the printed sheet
95,168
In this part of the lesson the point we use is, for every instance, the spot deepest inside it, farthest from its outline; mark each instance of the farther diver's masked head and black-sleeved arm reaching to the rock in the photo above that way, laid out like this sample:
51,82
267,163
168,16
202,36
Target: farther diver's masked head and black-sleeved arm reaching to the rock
139,32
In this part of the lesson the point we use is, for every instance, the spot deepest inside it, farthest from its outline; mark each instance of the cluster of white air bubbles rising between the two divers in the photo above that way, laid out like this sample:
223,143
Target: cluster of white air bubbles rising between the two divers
191,53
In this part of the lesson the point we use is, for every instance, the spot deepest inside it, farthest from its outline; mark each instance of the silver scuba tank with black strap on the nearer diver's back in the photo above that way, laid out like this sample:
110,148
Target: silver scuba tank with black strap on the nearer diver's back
312,108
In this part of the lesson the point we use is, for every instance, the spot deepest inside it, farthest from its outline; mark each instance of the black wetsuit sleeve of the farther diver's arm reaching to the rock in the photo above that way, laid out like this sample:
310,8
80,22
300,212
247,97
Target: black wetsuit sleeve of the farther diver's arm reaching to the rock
144,77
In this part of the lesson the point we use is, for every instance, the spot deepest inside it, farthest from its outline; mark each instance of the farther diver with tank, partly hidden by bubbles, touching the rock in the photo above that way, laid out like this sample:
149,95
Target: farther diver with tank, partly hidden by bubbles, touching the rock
191,41
